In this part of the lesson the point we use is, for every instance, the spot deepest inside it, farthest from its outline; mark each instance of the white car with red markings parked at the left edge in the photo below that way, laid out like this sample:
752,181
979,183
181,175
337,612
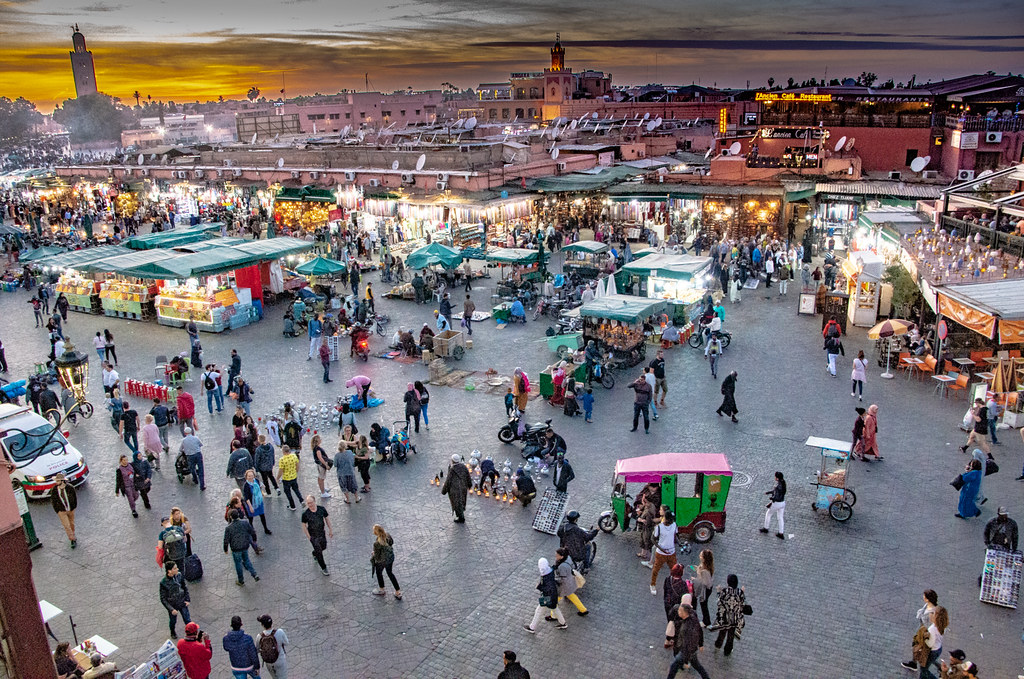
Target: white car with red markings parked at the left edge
39,466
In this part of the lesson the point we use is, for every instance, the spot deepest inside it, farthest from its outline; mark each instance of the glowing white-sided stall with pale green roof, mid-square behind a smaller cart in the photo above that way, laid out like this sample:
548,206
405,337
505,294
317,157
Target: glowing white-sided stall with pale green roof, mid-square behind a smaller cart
680,280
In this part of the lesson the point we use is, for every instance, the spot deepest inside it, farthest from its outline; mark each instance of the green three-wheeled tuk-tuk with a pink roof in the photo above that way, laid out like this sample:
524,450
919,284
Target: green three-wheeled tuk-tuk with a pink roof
695,486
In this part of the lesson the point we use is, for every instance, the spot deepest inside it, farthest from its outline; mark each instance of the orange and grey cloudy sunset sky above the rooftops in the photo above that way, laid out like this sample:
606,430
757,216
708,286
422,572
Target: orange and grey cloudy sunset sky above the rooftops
190,50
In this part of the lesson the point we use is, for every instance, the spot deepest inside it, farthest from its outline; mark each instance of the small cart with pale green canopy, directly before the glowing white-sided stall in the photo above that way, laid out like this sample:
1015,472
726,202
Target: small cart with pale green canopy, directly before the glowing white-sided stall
616,324
